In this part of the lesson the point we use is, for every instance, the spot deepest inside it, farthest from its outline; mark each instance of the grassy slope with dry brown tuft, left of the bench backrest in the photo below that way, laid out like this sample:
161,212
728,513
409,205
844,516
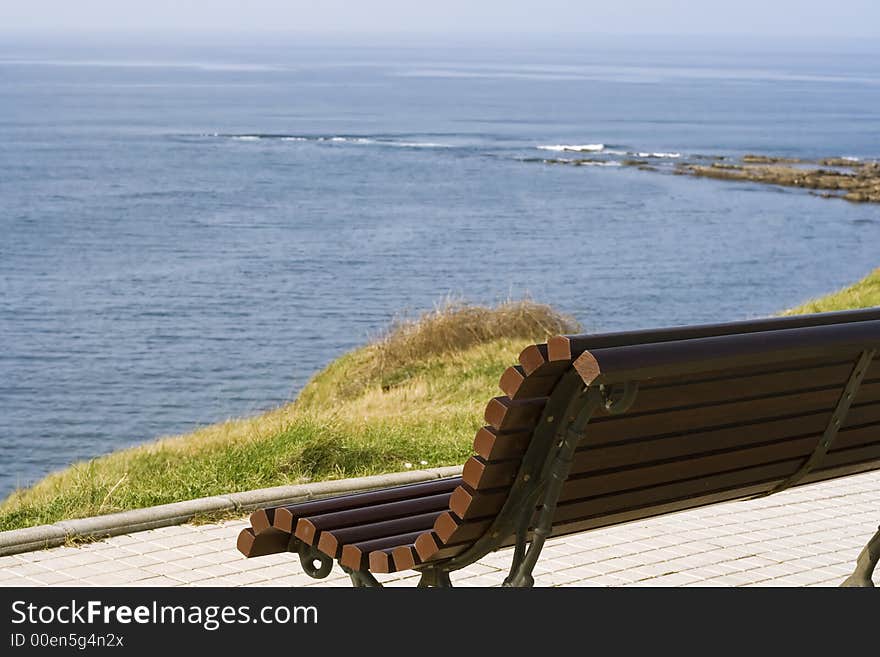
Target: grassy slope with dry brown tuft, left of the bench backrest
414,398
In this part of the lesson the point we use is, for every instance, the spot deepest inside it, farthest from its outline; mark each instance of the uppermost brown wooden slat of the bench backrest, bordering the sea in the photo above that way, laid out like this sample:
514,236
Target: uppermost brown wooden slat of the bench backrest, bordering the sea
570,347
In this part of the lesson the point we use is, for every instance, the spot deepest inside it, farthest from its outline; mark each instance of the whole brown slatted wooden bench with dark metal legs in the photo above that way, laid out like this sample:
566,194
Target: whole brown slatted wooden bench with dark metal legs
596,430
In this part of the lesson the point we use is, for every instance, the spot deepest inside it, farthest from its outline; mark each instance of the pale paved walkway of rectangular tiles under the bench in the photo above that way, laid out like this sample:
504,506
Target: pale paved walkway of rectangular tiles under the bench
803,537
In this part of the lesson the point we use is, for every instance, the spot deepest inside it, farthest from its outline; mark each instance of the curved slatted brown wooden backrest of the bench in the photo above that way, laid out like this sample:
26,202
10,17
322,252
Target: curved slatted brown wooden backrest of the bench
677,418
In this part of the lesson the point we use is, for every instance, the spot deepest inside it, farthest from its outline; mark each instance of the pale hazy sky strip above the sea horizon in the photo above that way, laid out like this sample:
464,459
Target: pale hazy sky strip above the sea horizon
787,18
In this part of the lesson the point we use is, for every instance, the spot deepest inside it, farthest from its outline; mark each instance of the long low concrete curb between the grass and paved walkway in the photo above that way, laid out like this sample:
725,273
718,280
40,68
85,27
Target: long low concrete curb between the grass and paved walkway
127,522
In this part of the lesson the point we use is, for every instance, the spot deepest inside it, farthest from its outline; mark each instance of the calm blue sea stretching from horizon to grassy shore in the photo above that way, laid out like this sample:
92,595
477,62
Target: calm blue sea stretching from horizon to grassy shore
189,232
